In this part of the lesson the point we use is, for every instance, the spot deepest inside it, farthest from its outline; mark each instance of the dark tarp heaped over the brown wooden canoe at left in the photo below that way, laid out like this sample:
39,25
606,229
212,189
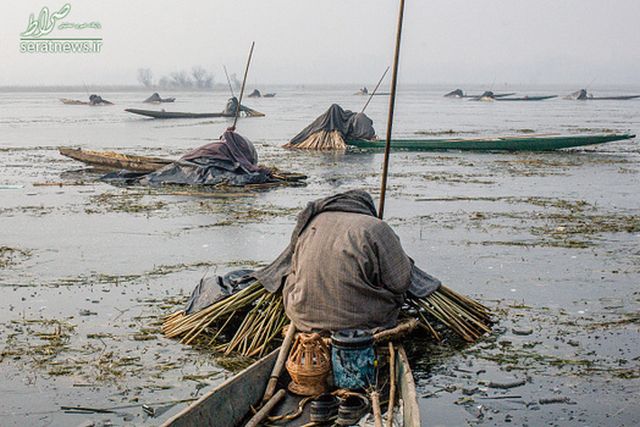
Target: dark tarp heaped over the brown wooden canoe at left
232,160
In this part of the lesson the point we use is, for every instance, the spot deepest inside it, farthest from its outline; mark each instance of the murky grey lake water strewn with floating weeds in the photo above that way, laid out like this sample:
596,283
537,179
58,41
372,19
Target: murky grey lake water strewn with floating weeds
549,239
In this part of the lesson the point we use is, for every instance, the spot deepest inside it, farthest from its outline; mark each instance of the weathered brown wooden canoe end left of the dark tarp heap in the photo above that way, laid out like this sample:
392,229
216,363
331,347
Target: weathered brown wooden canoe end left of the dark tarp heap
109,160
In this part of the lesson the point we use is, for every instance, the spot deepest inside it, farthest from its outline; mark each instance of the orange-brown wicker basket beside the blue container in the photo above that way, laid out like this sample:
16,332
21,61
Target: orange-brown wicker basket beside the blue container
309,365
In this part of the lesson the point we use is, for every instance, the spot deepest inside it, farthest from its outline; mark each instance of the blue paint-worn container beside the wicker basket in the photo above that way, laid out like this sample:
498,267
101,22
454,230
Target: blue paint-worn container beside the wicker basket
353,359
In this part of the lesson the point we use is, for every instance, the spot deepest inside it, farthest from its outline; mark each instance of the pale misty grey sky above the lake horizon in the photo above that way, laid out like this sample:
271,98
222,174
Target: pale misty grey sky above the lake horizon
338,41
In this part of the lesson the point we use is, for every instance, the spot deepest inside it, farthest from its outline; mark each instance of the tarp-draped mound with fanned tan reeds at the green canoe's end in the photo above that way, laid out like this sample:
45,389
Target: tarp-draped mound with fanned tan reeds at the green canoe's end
332,130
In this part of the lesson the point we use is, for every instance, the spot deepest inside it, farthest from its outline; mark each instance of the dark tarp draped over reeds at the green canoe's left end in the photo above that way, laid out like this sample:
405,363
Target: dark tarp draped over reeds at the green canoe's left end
351,125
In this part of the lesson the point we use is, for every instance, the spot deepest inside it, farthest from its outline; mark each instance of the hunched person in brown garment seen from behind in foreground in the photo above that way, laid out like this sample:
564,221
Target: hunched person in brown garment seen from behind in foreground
344,268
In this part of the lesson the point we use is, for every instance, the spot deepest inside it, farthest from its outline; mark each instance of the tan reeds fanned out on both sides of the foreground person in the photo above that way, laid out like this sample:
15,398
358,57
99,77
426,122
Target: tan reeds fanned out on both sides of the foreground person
247,322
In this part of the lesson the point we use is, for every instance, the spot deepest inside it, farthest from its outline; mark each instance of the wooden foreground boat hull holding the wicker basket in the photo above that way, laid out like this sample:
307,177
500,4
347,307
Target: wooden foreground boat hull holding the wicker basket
230,404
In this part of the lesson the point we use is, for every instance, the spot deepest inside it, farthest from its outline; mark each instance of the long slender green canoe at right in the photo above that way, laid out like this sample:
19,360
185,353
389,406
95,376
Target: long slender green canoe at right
508,143
